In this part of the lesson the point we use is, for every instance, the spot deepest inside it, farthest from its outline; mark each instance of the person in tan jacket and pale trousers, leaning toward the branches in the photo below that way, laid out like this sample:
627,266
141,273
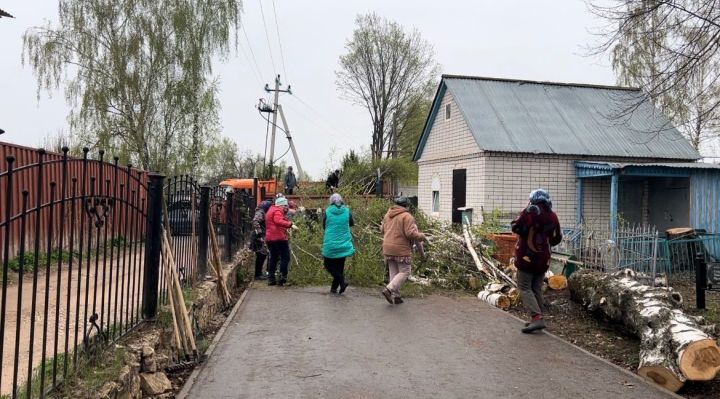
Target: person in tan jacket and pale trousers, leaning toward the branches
399,232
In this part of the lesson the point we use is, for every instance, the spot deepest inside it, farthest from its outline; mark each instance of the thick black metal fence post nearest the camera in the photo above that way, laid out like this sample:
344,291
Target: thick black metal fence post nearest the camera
151,268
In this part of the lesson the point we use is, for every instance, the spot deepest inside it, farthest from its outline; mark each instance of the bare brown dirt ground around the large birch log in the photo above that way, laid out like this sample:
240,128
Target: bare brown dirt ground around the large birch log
569,320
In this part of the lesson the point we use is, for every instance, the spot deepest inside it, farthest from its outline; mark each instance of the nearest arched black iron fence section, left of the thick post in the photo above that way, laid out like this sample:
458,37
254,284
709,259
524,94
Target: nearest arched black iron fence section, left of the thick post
73,235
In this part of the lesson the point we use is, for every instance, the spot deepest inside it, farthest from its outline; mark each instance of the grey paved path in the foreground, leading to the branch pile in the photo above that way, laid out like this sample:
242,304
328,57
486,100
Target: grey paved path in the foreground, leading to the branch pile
306,343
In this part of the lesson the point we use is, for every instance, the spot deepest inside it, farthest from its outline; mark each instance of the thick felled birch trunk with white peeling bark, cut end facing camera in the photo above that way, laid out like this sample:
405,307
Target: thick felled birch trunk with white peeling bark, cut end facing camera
673,346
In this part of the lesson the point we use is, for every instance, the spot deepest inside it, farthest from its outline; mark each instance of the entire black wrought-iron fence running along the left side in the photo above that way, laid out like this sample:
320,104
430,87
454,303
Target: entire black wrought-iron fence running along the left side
80,258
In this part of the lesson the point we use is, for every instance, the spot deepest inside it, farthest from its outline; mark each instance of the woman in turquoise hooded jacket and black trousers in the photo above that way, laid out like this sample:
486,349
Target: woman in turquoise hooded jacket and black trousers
337,241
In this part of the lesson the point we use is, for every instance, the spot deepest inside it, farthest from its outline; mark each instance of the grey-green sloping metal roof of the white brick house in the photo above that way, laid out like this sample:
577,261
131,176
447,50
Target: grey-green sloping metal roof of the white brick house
558,118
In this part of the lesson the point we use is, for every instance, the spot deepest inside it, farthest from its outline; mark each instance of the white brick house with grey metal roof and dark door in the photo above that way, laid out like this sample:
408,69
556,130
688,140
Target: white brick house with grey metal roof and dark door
508,137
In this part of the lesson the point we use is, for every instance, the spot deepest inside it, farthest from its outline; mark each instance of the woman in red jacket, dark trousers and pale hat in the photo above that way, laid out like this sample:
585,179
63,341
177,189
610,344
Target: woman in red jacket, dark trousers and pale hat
276,237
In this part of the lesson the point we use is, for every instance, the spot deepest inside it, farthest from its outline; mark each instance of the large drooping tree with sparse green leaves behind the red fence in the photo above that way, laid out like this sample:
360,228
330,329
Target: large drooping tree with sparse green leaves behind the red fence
136,73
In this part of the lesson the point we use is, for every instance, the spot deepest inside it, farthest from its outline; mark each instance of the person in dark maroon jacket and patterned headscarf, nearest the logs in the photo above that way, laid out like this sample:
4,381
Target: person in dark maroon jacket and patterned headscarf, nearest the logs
538,230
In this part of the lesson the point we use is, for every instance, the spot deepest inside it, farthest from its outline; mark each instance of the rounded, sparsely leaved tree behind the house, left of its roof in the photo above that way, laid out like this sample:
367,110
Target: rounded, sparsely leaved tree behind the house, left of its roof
384,70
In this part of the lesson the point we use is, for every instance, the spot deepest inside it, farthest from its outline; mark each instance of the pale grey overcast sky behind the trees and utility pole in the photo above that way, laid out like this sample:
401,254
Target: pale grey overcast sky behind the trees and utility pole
524,39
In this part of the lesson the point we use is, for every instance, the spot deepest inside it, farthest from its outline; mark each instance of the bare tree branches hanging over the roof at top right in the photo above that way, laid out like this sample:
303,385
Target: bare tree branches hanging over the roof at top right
670,49
